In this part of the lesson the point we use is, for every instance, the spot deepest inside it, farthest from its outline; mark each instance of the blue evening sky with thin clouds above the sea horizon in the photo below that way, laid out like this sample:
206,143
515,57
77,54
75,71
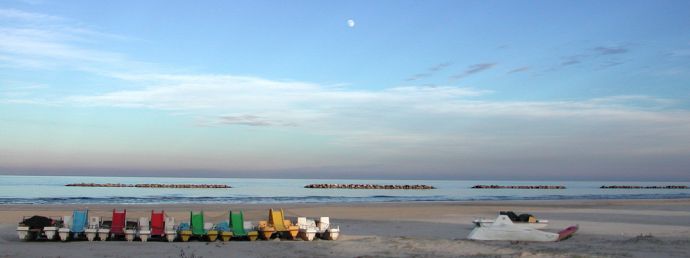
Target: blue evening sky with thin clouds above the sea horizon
515,90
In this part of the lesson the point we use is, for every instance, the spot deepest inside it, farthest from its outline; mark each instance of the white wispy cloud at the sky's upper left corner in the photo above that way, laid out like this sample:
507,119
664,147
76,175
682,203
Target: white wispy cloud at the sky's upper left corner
35,40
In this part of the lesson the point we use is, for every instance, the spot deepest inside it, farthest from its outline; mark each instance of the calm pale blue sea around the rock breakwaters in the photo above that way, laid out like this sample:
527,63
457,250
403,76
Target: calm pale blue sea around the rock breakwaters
51,190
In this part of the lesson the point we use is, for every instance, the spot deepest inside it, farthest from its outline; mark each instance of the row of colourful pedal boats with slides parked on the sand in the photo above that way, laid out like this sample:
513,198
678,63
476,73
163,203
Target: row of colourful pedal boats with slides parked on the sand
158,225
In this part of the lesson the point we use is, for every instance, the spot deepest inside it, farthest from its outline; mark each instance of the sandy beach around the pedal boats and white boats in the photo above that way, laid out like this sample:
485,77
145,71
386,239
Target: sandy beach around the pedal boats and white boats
608,228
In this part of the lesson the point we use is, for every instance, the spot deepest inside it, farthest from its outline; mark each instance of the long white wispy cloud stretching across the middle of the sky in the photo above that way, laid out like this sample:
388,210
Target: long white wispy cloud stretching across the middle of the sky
286,101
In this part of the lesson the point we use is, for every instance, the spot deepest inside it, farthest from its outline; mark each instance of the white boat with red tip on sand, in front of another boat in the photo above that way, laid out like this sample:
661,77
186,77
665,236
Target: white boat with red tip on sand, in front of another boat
504,229
